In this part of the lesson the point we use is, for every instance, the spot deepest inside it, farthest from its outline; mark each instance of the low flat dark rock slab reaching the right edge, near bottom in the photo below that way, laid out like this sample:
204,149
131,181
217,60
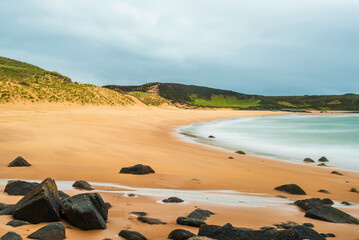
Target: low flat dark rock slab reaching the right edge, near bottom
315,209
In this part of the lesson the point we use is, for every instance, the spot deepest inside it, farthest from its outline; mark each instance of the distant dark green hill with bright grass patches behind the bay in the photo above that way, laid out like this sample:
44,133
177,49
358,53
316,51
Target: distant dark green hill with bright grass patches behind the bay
211,97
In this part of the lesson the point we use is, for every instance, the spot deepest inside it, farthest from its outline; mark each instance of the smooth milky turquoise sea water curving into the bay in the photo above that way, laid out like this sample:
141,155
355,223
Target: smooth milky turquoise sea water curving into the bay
286,137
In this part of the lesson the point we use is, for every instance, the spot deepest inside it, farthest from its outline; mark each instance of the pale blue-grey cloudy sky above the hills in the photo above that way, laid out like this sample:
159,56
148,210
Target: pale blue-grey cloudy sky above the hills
277,47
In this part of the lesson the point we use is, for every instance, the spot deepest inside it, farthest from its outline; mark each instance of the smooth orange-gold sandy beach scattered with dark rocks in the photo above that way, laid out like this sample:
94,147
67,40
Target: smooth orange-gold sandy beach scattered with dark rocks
71,142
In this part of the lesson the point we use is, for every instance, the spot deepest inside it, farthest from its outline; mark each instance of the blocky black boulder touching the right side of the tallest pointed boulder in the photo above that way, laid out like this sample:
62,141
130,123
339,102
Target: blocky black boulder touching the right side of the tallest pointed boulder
86,211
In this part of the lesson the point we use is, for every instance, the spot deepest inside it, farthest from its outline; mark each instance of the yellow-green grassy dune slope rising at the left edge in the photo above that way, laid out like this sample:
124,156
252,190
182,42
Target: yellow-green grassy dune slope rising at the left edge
23,82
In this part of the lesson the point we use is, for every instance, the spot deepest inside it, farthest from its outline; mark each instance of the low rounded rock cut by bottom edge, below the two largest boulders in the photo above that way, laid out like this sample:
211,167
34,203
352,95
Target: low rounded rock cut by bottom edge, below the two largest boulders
52,231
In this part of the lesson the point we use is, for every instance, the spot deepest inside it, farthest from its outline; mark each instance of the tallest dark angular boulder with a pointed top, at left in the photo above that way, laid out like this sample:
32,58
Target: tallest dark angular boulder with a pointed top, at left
41,204
